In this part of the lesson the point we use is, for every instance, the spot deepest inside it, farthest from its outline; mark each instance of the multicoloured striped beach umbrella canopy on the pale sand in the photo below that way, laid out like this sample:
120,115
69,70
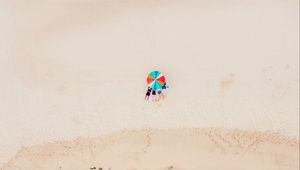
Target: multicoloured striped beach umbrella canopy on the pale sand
156,80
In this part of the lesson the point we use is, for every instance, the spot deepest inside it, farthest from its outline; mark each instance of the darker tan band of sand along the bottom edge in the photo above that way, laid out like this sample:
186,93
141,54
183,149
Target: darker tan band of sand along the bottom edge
178,149
